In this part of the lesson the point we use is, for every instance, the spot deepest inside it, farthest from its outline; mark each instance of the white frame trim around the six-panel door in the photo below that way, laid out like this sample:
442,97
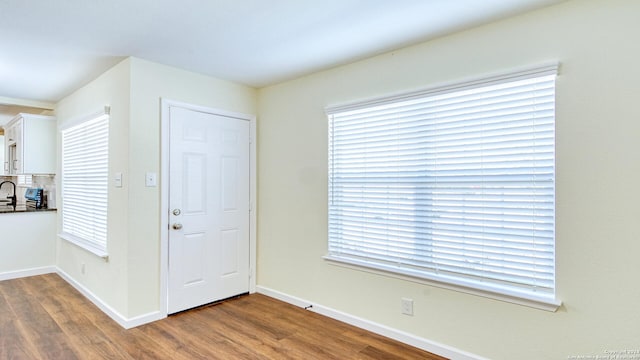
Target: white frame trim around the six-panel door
164,193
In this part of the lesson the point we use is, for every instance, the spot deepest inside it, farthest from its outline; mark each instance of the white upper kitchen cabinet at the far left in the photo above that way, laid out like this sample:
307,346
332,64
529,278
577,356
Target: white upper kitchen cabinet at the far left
30,145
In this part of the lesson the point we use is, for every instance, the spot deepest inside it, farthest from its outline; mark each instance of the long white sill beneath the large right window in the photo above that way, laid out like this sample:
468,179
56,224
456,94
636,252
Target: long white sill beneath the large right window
538,302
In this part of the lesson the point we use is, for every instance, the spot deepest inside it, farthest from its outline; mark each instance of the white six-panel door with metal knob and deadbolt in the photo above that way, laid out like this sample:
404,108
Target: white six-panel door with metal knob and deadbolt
208,208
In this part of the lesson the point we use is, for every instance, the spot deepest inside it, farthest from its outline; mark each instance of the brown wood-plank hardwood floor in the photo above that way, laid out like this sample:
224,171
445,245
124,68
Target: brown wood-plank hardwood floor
43,317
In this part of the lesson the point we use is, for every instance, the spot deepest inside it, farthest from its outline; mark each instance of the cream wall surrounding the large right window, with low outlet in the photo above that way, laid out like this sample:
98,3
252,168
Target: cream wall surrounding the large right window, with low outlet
597,242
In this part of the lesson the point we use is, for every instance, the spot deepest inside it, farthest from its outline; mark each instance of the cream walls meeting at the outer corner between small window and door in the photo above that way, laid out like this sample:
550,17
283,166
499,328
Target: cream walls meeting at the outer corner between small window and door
129,282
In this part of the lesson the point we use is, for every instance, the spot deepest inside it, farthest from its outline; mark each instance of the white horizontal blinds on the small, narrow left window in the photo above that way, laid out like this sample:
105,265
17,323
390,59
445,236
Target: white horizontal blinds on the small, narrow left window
85,175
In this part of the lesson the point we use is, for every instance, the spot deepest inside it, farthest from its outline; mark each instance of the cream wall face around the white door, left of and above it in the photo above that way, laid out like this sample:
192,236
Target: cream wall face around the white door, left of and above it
149,83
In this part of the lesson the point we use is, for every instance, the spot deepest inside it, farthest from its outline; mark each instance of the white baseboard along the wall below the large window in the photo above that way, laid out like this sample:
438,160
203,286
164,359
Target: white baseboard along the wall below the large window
410,339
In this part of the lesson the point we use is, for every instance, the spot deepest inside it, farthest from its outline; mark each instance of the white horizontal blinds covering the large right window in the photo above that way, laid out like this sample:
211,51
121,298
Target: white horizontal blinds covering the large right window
451,185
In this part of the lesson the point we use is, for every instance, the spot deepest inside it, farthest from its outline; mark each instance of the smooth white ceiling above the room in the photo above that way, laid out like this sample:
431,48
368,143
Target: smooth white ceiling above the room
48,48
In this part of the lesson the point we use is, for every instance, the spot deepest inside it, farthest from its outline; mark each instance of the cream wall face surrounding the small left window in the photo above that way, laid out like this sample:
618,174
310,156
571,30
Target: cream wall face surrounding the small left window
107,280
